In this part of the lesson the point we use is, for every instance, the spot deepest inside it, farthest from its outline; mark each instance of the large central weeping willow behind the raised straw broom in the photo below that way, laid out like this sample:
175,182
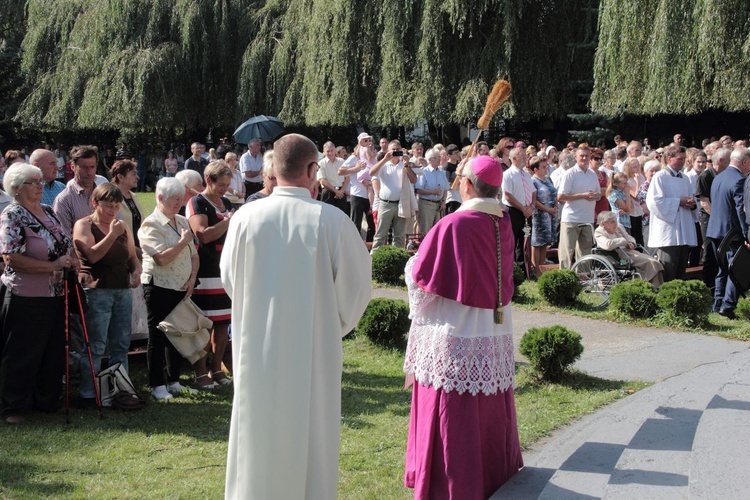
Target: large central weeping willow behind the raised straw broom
323,62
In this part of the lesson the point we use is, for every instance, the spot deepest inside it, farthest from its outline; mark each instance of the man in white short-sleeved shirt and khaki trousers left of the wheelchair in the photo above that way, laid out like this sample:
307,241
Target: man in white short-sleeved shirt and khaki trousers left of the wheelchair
579,190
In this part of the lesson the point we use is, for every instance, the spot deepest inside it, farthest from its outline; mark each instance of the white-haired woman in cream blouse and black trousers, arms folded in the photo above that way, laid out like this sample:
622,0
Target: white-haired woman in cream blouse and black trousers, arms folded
170,268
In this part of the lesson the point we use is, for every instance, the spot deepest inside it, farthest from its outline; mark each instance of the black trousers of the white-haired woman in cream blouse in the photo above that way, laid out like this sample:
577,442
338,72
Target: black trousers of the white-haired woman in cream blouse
161,352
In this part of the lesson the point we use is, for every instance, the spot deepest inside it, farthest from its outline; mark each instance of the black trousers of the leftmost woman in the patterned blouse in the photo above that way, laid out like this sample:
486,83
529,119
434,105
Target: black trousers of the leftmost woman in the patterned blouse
33,355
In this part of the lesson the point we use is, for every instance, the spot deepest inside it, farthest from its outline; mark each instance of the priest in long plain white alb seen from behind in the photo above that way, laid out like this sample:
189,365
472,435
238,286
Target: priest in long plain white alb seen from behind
299,278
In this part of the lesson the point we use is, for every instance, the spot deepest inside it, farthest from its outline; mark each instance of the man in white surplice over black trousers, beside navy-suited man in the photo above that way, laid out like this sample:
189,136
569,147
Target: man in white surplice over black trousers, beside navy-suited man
671,201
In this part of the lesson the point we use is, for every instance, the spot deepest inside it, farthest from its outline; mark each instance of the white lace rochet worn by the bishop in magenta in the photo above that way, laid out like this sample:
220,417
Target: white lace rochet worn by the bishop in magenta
456,347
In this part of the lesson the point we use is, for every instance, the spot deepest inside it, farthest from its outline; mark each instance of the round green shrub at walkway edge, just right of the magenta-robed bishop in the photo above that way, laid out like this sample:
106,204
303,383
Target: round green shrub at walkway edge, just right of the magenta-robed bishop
551,350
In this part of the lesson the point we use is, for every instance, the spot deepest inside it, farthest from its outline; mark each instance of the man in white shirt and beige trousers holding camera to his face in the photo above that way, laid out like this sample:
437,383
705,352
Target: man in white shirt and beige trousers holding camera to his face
391,171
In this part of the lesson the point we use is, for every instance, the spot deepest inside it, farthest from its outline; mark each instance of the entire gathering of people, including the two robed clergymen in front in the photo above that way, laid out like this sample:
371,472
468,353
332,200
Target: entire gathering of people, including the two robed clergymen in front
246,263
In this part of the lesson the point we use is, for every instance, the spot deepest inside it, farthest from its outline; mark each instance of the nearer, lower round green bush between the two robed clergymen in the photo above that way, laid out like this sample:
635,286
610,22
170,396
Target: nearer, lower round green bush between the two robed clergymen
386,322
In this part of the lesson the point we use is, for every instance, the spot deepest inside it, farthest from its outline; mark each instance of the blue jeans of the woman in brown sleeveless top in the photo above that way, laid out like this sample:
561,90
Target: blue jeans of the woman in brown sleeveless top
108,322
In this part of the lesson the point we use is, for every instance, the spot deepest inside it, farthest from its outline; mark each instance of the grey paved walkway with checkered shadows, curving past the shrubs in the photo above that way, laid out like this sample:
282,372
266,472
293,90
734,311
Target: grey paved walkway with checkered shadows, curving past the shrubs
687,436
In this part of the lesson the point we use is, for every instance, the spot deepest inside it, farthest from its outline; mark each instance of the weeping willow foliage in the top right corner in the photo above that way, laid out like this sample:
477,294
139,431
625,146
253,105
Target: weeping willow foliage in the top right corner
672,57
